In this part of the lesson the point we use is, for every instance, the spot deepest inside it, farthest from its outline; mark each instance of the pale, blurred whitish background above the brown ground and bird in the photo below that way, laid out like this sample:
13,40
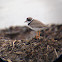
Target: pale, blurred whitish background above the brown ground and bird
15,12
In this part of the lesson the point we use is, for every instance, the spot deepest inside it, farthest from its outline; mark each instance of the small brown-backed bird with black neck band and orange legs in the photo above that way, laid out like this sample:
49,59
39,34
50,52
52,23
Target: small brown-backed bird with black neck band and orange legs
35,25
